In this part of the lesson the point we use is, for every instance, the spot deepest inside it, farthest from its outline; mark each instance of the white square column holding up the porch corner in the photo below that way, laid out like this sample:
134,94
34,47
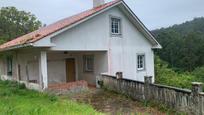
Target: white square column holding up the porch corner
43,69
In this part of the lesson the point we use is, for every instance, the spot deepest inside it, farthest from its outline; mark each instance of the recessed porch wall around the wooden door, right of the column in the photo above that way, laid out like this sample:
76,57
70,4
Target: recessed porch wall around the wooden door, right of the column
57,66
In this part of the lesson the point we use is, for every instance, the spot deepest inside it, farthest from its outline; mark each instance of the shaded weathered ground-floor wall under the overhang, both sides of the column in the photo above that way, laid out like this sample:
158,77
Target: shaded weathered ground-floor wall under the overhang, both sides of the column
29,66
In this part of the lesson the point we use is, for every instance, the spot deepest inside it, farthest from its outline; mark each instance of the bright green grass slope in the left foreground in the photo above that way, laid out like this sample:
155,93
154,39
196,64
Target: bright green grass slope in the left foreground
15,99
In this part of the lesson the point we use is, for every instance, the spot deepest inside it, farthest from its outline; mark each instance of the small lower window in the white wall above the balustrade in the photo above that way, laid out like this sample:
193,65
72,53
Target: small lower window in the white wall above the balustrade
140,62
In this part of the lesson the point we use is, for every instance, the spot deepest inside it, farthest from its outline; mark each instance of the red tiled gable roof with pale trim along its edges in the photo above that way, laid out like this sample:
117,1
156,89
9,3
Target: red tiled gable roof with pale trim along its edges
28,39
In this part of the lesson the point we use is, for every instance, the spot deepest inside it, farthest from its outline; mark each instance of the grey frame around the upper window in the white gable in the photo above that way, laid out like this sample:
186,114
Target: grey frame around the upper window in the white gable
119,29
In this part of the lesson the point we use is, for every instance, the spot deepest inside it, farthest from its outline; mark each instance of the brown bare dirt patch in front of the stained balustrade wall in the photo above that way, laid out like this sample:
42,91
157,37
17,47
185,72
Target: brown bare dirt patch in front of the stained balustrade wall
112,103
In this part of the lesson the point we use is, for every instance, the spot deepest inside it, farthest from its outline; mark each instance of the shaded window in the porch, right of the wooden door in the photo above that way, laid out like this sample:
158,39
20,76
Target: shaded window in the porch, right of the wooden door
88,63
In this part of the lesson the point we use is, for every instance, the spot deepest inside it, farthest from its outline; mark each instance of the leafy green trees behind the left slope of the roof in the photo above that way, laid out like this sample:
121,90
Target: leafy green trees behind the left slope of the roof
15,23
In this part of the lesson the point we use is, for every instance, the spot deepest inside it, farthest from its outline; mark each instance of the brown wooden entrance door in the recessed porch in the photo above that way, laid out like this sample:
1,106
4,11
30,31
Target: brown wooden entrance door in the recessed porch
70,70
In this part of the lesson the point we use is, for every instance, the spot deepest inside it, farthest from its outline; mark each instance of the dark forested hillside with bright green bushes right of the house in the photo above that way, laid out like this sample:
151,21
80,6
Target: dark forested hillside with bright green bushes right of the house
183,54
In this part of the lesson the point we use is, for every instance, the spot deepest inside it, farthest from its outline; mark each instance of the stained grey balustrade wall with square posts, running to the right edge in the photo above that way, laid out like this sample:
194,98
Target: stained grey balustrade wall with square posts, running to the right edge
191,102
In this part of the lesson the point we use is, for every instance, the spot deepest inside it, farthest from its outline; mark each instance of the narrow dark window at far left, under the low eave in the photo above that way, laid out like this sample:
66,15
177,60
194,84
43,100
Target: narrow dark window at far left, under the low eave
9,65
